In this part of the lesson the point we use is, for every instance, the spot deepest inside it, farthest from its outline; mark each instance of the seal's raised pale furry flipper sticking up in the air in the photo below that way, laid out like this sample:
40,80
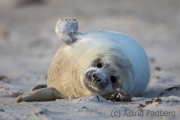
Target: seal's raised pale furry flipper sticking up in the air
67,30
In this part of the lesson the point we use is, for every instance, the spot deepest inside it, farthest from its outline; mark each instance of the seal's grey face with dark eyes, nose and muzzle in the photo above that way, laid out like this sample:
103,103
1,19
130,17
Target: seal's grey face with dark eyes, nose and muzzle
98,77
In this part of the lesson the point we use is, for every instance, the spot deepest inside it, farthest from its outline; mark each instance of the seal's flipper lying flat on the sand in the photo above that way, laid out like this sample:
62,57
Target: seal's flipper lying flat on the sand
44,94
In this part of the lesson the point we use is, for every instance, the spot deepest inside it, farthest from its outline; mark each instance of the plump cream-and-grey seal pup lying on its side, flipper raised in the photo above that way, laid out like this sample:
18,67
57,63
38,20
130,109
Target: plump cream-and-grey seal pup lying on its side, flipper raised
97,62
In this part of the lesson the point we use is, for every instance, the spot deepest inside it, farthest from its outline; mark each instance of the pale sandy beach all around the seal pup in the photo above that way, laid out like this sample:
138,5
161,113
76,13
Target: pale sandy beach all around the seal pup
28,44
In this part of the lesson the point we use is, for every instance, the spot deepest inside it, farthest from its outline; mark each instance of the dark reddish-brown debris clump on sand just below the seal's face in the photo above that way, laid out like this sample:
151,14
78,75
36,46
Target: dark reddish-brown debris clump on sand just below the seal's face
120,96
